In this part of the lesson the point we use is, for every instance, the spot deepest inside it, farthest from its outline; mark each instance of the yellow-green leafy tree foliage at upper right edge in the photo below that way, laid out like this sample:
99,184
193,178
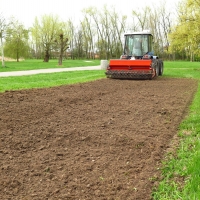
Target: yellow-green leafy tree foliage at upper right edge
185,35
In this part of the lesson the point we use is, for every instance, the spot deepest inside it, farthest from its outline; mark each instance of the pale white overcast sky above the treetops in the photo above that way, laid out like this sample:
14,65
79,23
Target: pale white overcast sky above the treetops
26,10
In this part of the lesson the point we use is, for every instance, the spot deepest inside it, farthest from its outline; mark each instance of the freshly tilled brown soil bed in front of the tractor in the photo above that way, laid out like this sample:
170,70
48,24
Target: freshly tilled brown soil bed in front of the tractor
100,140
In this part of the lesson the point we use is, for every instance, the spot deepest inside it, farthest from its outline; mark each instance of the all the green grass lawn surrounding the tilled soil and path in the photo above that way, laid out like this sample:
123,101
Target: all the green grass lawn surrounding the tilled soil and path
184,165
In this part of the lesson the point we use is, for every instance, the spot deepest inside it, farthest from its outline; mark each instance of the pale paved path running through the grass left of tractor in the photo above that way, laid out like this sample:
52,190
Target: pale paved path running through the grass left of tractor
44,71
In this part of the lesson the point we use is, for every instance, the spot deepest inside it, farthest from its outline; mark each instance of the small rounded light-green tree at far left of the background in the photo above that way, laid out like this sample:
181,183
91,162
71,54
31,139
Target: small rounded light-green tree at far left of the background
16,44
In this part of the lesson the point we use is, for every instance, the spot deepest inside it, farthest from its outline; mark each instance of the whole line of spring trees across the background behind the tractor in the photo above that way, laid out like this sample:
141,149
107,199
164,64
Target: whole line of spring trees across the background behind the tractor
99,34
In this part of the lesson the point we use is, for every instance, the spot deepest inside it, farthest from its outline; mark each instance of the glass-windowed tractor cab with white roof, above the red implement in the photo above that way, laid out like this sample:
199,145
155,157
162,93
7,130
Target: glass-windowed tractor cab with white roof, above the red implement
137,45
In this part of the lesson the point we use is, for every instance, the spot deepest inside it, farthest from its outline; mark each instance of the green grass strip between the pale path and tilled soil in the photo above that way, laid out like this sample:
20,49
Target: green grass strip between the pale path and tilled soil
49,80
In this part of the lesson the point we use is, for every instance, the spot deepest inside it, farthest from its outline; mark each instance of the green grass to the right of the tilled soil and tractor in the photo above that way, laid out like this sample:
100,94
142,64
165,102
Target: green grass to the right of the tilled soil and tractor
181,170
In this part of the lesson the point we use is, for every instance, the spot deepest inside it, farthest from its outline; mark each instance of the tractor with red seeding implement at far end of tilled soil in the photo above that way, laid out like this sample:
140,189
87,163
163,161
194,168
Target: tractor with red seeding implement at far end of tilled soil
138,60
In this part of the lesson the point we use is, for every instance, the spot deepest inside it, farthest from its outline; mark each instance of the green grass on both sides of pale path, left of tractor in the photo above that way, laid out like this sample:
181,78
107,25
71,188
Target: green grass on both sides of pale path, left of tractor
47,80
